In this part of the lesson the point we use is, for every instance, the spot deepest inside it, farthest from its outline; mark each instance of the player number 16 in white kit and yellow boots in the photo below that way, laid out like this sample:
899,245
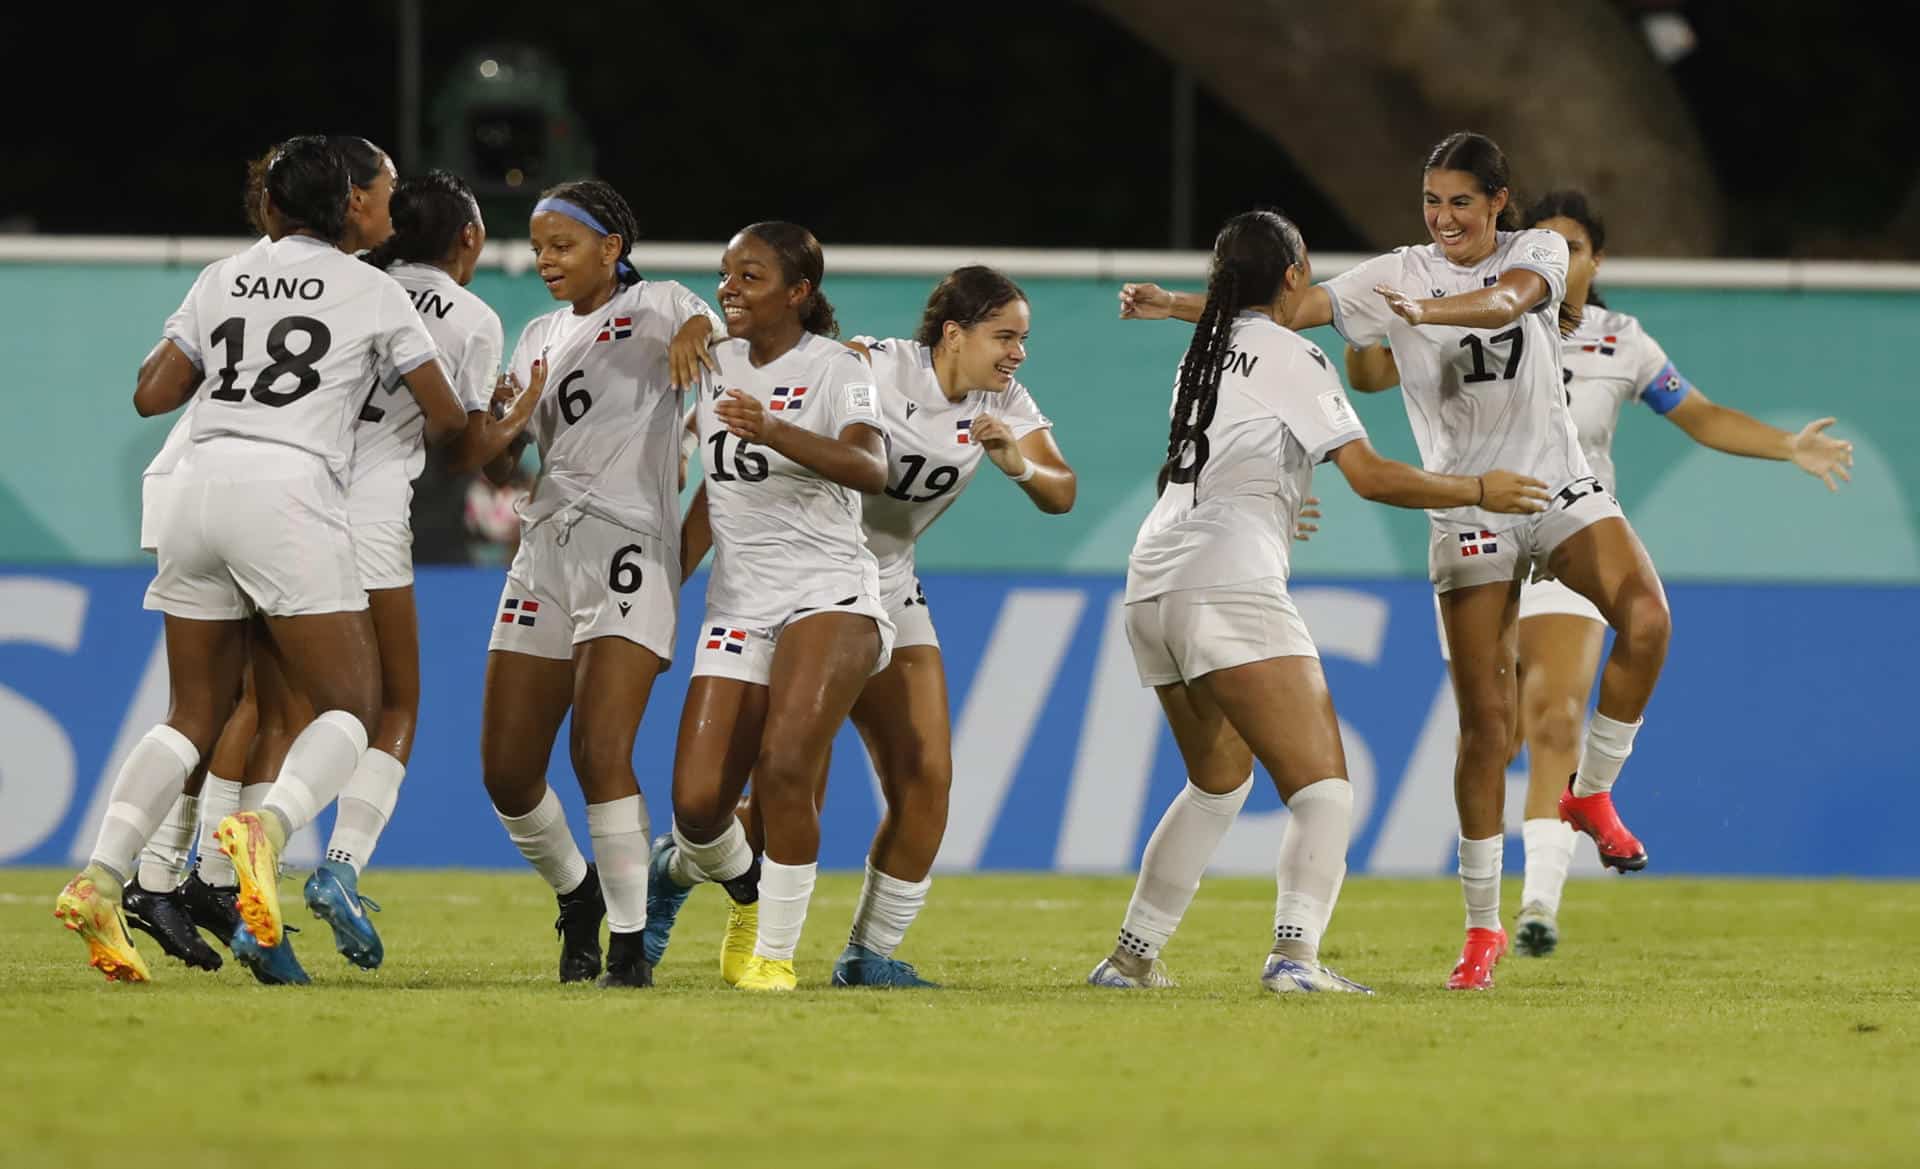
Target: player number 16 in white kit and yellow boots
794,627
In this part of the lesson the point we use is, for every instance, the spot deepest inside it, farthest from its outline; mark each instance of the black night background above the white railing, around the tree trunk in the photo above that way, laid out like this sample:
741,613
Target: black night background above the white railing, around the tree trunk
1005,124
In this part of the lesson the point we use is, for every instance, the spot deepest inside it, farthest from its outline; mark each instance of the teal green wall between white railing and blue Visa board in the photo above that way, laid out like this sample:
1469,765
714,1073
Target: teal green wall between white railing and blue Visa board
70,490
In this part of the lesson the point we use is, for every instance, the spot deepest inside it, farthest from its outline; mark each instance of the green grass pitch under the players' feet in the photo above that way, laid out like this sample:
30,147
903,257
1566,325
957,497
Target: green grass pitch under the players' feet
1681,1024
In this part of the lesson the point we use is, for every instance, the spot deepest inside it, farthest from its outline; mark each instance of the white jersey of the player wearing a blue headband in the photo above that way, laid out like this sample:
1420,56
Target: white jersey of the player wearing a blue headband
608,423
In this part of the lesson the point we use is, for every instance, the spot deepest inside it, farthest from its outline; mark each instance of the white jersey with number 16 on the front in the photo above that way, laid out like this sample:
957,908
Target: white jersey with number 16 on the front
786,538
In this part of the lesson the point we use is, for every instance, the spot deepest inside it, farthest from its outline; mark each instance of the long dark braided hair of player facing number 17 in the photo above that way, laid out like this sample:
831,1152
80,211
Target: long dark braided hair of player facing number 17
1251,260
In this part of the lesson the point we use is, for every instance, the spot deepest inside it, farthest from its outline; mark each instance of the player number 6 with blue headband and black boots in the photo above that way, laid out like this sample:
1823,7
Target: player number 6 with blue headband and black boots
587,617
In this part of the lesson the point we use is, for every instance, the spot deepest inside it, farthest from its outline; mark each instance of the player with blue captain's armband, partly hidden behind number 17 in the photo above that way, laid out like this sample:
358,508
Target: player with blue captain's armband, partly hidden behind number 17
1610,362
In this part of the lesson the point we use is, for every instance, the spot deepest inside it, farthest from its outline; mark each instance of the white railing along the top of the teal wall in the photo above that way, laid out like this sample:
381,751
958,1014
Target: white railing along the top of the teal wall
1097,264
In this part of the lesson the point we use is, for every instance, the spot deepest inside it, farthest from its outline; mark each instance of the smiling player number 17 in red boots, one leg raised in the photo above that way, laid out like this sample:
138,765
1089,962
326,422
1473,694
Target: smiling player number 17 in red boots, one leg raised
1474,325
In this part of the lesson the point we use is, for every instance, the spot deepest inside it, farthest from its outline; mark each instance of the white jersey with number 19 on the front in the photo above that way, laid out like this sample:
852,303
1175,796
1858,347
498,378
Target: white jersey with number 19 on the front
932,448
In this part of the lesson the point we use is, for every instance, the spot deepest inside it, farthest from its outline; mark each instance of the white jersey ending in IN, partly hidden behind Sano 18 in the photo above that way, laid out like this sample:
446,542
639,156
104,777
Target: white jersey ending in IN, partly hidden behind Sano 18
391,441
